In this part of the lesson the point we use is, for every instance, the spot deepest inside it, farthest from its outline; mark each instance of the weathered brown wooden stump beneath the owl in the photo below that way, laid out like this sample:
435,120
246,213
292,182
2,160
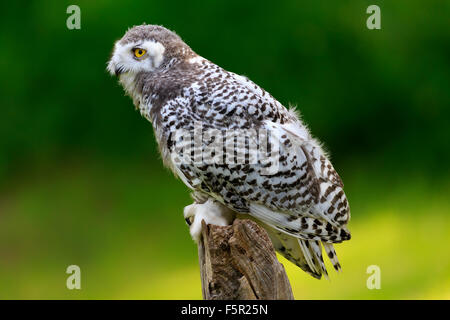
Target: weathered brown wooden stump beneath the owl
239,262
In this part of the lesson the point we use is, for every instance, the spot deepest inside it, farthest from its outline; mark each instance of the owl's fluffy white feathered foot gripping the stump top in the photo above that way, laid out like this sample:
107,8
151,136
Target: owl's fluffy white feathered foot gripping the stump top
211,211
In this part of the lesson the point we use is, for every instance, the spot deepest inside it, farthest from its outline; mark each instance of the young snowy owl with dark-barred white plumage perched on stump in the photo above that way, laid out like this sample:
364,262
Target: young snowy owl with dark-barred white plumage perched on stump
240,151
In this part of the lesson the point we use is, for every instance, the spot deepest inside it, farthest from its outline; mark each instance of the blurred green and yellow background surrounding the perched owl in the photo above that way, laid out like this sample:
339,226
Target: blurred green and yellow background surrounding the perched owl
81,181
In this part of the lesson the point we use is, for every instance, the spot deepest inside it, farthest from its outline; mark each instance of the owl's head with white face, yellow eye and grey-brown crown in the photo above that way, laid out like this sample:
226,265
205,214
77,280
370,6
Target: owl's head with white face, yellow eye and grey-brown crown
146,48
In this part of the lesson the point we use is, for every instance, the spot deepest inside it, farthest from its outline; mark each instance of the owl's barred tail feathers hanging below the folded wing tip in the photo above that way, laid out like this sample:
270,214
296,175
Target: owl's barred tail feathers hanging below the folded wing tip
307,254
